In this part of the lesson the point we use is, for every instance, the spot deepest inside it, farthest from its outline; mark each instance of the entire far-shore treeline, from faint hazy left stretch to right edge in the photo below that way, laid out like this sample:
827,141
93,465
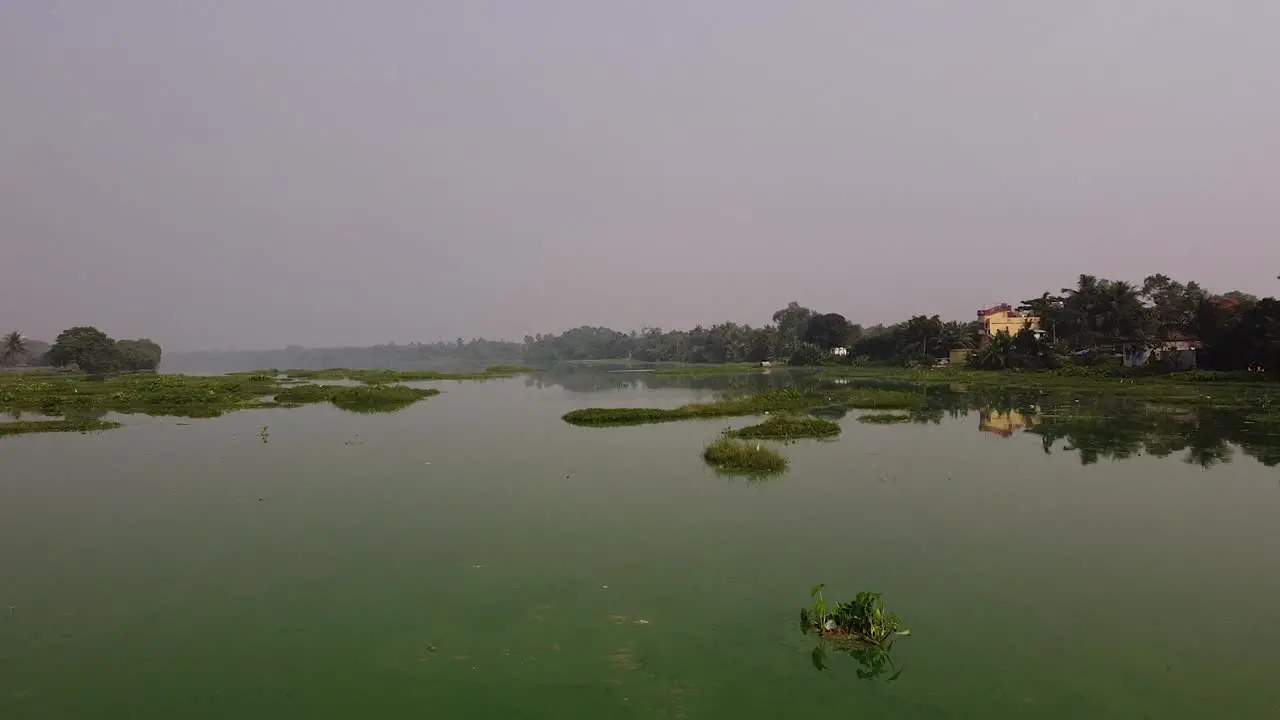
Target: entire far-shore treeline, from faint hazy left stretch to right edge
1087,323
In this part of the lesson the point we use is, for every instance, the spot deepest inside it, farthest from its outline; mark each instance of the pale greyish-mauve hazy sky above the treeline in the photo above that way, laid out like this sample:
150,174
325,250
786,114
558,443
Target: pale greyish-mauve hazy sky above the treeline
254,174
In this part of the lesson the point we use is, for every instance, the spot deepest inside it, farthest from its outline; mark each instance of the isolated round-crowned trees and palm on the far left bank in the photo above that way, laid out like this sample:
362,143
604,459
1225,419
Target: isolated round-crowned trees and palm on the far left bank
86,348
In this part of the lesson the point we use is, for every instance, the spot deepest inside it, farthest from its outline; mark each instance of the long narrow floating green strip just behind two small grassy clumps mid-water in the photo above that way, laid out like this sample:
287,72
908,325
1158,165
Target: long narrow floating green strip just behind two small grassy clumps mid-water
772,402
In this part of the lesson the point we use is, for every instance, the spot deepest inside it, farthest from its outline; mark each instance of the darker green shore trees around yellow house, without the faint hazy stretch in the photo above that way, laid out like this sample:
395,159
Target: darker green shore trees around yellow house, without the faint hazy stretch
1237,331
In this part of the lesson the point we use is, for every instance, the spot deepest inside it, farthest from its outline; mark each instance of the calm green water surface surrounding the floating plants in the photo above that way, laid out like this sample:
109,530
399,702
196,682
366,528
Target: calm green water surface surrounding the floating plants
474,557
